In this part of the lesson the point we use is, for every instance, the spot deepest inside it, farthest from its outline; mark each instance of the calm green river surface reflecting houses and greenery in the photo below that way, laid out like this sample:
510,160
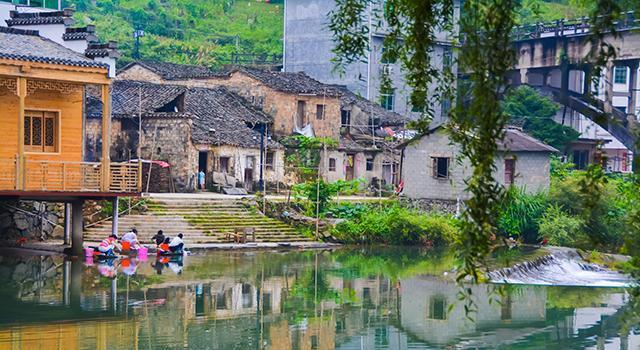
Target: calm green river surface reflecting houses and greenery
342,299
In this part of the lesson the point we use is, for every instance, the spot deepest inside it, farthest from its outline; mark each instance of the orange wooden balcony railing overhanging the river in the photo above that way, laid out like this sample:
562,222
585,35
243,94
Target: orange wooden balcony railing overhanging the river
53,176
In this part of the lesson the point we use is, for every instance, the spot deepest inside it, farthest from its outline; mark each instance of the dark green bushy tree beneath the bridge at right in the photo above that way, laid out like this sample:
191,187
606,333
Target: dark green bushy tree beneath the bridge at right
525,106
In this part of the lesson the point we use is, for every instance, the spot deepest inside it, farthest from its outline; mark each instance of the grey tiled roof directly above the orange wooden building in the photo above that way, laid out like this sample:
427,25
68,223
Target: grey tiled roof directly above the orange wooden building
27,45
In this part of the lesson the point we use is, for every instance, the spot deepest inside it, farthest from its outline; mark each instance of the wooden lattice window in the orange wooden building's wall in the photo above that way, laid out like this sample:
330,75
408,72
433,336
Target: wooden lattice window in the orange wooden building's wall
31,113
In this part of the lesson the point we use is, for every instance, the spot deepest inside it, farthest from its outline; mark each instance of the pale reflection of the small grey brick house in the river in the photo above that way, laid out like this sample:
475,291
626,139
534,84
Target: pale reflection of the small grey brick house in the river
430,309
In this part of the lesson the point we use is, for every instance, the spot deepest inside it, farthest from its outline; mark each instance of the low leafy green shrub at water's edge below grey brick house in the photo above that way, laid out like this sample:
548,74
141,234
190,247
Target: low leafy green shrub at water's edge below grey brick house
393,224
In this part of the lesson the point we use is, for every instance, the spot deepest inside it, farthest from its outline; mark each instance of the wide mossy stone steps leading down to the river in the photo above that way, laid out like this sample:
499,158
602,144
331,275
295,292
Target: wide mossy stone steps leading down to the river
200,220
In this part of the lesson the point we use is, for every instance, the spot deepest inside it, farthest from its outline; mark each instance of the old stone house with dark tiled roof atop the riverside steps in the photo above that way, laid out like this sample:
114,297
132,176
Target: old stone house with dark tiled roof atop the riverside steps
189,129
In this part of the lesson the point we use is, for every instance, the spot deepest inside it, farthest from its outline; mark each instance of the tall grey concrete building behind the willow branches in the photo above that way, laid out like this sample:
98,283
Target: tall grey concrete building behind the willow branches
308,46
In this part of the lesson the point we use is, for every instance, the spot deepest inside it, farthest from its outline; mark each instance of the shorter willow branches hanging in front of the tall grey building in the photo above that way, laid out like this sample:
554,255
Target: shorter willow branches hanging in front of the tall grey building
411,32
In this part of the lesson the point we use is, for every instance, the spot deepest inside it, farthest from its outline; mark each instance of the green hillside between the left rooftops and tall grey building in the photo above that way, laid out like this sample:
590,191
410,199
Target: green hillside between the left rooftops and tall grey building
204,32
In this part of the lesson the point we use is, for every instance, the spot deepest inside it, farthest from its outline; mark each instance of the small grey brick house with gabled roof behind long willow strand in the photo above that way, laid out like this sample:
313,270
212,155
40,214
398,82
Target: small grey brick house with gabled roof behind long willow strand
433,169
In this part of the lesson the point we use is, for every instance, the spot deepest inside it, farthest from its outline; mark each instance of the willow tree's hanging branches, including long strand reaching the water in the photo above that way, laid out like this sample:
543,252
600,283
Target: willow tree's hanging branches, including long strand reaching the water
486,55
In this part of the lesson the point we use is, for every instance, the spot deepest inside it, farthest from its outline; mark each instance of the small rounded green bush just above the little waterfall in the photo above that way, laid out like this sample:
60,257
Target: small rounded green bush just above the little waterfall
560,228
